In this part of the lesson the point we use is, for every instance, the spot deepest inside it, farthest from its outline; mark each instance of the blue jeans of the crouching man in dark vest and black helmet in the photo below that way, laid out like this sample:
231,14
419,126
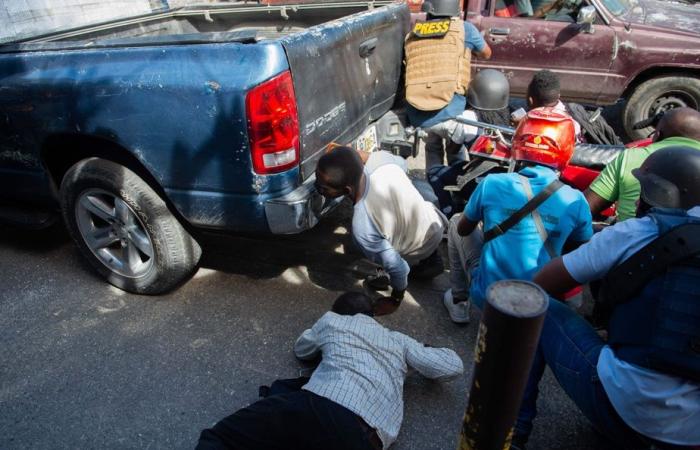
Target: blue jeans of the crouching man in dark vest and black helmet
570,347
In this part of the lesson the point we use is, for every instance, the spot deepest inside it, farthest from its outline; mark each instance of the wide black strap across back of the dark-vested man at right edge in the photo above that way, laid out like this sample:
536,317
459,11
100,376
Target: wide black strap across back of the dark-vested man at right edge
624,281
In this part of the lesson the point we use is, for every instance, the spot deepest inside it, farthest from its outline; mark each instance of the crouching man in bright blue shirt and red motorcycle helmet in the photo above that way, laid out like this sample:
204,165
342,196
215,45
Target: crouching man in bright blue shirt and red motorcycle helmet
519,251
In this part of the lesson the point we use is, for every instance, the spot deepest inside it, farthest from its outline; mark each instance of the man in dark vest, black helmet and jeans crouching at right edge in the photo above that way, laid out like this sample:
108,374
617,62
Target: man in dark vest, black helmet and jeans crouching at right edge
641,388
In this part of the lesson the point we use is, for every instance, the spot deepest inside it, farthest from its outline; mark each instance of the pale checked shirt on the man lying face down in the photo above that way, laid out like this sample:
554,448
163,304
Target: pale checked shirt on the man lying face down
364,366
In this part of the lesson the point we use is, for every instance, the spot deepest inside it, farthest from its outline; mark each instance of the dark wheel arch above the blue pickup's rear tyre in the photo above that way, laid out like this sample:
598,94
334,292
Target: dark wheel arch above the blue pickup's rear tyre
60,152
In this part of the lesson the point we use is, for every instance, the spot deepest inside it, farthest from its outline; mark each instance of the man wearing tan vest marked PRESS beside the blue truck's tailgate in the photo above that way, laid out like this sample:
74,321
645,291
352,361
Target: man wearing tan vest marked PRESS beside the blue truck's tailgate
437,81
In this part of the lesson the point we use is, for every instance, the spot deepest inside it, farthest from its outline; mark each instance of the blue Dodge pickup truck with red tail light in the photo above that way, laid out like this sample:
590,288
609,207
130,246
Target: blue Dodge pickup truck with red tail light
143,131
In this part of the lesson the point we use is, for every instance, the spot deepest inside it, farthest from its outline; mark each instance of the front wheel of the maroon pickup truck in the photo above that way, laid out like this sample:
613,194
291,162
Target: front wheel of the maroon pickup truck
657,95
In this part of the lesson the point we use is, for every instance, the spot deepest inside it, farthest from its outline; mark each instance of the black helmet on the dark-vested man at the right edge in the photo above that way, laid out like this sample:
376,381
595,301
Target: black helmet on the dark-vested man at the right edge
670,178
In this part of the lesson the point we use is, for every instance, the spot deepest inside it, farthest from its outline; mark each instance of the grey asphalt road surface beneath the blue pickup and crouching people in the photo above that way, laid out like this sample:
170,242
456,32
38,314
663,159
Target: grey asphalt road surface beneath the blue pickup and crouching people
84,365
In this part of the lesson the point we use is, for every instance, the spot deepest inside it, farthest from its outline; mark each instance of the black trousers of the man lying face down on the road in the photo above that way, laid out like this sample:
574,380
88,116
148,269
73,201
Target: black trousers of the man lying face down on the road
290,420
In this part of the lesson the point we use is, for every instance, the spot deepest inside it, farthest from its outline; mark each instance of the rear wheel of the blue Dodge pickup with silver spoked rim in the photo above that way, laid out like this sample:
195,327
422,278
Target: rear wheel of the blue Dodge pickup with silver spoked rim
125,229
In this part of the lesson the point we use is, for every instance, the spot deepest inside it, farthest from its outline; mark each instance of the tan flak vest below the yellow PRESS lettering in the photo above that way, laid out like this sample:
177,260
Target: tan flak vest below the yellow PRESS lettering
436,67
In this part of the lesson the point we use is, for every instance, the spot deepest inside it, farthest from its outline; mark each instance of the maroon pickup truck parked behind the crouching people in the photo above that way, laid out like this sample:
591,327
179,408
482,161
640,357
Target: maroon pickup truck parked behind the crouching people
644,51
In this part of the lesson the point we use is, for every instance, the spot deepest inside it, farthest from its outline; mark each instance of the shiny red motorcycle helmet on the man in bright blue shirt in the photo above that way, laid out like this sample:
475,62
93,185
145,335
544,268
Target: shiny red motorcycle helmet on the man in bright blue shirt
546,137
